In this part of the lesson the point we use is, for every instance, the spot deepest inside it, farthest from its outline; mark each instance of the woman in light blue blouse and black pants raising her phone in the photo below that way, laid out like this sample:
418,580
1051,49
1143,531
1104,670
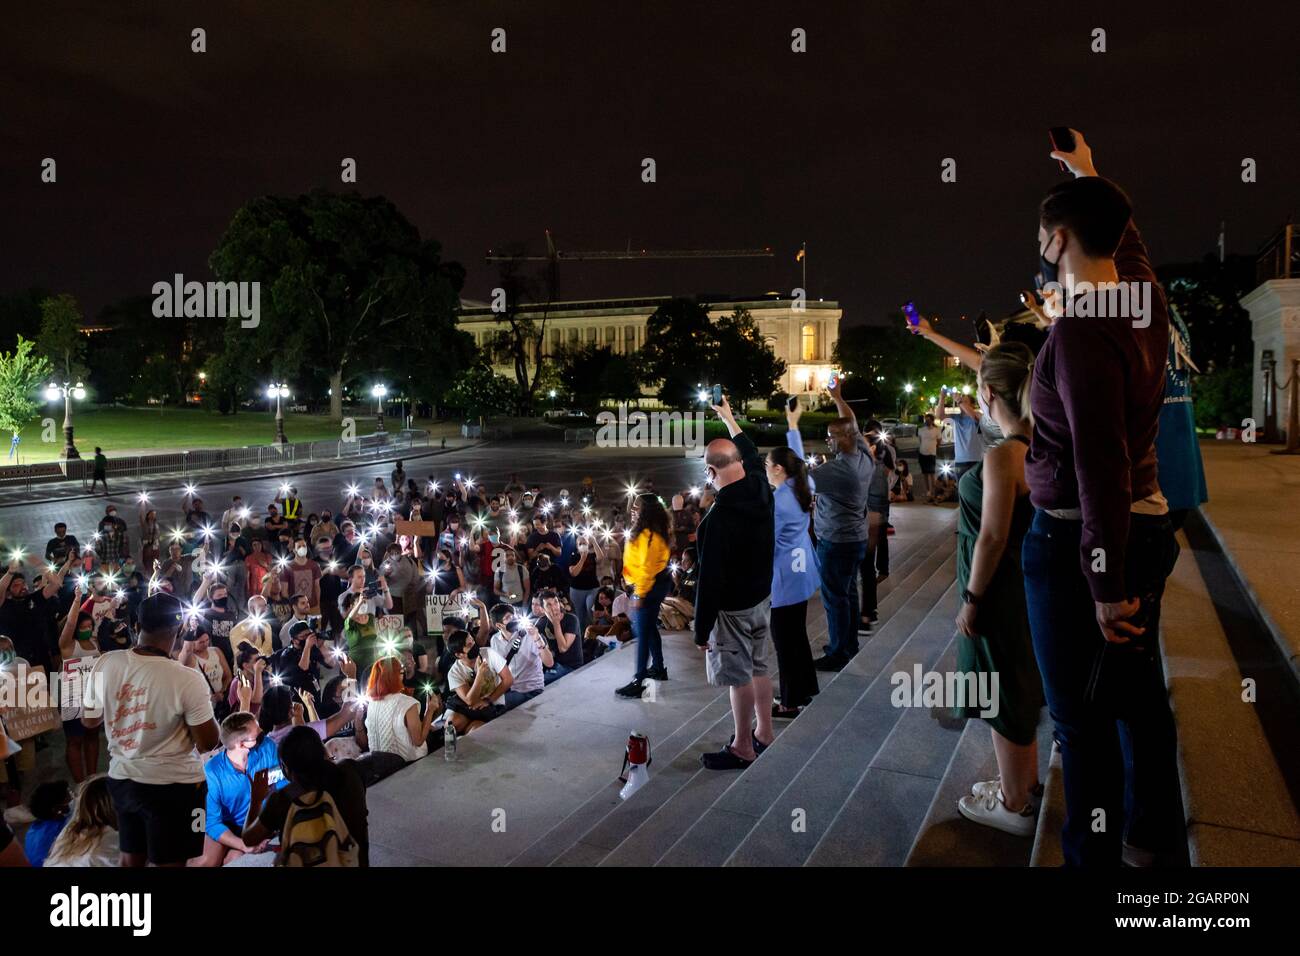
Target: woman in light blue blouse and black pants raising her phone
795,578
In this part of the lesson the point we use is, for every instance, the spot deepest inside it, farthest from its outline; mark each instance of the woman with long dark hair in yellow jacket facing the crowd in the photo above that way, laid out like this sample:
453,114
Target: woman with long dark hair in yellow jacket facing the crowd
645,568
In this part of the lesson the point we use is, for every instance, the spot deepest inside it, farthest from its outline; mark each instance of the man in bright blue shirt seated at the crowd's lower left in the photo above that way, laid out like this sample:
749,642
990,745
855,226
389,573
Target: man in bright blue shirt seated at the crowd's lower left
245,754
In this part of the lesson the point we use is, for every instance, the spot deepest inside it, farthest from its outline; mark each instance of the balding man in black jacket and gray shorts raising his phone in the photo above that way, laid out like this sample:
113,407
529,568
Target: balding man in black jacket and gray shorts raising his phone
734,594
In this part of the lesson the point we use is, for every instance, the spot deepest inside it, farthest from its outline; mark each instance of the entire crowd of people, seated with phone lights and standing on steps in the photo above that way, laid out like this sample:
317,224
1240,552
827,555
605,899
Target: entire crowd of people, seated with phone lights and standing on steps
258,671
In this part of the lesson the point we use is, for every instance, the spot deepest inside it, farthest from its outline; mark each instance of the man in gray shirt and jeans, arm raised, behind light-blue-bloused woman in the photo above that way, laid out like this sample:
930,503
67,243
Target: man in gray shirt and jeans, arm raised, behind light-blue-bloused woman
840,522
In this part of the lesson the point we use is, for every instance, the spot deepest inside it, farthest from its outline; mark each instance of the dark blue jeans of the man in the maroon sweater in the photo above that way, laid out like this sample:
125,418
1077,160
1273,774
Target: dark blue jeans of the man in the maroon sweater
1108,702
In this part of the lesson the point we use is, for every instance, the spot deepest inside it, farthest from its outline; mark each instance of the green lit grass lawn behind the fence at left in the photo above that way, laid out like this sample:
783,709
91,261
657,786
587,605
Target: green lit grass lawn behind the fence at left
128,430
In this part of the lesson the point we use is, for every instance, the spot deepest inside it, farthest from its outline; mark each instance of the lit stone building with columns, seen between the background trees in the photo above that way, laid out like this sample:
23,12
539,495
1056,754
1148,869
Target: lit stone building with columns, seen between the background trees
804,338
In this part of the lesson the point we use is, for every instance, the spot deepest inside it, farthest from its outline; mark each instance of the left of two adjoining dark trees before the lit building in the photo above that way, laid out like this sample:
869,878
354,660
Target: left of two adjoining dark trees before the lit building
679,353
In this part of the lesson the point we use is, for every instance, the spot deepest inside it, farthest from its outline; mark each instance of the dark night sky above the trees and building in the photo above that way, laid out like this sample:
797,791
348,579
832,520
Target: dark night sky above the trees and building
756,145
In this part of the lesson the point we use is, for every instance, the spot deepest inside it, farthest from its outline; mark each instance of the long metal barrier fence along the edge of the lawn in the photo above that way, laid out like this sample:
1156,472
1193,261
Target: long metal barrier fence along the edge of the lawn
183,464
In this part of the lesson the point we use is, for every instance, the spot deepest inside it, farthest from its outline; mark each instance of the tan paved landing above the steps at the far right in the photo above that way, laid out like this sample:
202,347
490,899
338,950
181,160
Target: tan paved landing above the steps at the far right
1255,513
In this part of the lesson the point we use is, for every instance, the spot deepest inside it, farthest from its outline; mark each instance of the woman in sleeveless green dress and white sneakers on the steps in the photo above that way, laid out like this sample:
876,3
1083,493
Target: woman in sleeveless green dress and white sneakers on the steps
994,630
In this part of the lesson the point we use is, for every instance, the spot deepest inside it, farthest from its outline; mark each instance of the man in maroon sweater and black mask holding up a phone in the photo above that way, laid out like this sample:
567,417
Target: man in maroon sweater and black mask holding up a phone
1102,546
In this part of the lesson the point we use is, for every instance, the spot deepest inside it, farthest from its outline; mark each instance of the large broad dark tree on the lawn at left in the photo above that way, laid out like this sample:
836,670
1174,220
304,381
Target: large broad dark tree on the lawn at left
345,282
